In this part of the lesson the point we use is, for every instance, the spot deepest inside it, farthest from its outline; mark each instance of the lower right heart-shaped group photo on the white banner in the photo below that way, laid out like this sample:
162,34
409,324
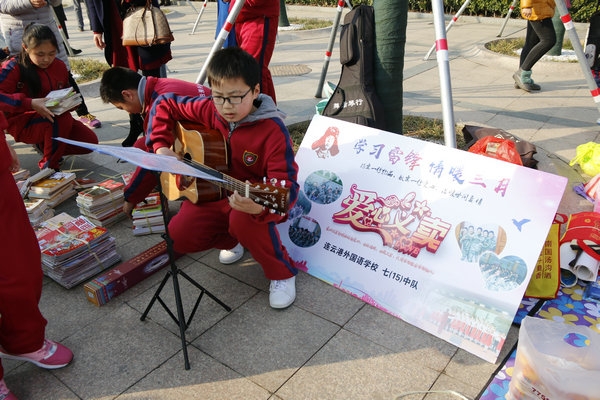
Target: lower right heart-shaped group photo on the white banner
501,274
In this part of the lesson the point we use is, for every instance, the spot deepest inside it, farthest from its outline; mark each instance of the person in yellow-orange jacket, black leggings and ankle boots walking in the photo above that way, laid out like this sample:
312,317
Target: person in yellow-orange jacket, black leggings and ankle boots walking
540,38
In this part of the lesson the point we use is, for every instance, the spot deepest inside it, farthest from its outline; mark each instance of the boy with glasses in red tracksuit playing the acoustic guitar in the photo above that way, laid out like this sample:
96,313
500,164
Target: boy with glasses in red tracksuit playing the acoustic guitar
259,146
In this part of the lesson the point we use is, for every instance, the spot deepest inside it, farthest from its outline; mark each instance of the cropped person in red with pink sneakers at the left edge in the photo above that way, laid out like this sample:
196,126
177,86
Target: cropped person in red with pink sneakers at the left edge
22,325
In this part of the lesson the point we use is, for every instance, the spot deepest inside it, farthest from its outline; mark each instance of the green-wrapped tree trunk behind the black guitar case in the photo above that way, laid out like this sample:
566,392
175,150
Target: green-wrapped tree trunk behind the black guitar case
391,17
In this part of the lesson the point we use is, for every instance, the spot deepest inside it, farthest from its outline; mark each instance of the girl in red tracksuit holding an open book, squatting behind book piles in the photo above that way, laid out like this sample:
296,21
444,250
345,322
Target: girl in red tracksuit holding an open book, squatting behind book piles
25,81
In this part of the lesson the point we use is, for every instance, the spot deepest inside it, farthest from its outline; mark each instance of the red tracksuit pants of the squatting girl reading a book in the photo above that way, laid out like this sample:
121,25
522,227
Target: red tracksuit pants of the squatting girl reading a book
32,129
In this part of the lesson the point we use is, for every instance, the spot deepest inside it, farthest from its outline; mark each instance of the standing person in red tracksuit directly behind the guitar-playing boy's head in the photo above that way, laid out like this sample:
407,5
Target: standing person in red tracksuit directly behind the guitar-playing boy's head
256,32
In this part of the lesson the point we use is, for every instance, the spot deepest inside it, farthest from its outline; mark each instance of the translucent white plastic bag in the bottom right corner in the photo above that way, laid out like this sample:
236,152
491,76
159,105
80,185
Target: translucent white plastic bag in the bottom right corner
556,361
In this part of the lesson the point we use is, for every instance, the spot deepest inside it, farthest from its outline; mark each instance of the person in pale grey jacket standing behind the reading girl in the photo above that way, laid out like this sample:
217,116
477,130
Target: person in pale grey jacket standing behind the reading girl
15,15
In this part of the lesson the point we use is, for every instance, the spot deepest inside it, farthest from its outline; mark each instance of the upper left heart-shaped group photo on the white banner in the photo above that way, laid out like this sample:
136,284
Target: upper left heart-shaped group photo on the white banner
475,240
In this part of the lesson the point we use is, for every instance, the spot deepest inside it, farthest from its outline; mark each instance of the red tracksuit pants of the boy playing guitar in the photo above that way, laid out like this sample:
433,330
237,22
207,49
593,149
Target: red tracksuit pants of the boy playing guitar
215,225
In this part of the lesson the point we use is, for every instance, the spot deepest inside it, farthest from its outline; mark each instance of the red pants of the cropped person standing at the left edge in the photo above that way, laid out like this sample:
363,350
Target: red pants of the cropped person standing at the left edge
22,326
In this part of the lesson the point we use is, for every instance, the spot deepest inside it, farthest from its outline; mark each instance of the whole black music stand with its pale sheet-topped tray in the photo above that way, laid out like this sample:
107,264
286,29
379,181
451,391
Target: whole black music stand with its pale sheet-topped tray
157,164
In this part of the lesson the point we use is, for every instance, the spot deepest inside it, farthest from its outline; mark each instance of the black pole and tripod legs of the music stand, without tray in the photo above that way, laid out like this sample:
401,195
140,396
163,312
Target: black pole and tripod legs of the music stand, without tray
173,273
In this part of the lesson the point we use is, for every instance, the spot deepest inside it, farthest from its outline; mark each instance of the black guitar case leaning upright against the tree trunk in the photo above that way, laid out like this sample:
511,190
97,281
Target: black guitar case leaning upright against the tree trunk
354,99
